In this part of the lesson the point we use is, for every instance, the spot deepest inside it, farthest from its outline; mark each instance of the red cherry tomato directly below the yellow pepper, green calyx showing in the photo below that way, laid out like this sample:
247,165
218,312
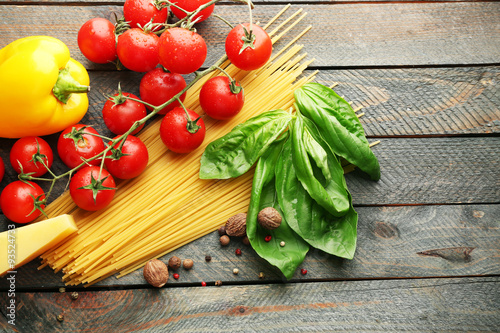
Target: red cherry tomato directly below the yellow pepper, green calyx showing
30,153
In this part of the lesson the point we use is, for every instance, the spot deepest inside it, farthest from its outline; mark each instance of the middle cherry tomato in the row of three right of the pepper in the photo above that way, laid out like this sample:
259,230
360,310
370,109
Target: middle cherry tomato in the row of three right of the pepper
138,50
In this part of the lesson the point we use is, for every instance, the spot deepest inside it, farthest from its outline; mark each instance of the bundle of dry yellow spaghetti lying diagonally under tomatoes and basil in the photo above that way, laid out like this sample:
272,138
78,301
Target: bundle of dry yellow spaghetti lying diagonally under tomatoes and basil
168,206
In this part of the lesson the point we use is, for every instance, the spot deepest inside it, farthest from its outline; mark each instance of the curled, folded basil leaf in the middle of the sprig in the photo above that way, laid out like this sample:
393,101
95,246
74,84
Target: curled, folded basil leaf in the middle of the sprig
330,194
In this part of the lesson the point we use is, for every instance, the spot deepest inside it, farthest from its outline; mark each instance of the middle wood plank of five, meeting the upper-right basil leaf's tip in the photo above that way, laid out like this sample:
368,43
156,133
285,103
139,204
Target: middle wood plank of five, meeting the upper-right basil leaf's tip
414,171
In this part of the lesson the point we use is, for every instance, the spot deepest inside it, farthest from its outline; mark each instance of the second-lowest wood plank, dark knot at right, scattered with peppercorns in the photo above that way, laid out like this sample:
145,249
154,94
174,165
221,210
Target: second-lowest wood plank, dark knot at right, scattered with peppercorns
393,242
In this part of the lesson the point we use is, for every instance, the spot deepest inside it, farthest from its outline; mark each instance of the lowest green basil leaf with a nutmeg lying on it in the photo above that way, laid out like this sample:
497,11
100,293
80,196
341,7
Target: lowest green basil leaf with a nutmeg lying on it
286,258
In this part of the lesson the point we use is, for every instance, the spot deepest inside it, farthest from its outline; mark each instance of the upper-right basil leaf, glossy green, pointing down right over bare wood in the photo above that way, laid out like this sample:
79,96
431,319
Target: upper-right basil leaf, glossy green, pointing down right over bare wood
339,124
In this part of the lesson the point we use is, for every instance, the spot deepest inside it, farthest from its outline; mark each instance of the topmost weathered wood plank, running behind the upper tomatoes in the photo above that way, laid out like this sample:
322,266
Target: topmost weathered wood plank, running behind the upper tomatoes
348,35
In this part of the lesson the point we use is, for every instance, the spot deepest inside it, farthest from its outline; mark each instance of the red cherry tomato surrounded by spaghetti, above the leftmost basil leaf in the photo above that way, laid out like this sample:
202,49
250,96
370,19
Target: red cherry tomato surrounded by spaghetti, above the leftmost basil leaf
218,100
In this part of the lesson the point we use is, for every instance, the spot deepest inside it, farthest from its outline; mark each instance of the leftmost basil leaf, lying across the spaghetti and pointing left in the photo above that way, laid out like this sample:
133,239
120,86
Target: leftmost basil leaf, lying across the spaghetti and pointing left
234,154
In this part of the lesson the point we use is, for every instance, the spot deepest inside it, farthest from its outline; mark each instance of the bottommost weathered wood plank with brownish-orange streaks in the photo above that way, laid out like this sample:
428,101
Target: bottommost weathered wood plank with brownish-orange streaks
430,305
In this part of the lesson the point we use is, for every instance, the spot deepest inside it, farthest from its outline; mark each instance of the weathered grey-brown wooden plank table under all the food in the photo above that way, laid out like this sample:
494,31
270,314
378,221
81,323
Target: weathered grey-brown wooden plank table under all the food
428,259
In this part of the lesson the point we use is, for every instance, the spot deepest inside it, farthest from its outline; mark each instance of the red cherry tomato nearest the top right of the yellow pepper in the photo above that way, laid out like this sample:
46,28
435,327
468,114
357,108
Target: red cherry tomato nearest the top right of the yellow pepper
96,40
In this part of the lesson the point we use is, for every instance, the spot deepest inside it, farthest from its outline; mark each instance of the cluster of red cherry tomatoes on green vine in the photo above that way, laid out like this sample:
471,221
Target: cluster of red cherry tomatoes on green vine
143,41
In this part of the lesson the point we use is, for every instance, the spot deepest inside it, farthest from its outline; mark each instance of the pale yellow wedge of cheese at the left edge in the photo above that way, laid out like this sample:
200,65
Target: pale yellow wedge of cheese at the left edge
30,241
